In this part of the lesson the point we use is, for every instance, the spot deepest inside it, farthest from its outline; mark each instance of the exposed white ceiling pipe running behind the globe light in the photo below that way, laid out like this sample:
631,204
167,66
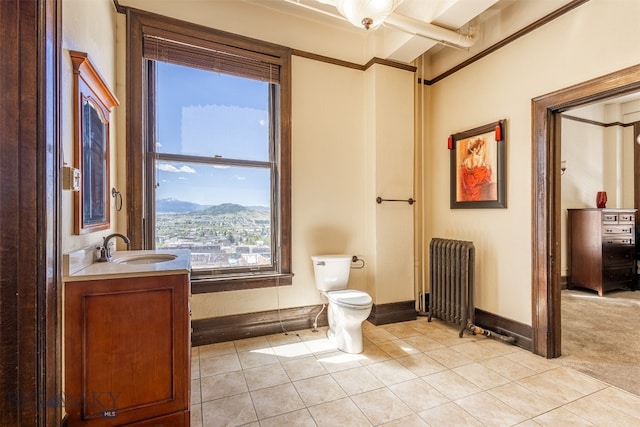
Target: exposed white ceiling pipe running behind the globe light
409,25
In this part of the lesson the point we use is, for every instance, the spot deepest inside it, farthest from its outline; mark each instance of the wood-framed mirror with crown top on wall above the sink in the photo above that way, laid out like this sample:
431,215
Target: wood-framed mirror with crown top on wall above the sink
93,102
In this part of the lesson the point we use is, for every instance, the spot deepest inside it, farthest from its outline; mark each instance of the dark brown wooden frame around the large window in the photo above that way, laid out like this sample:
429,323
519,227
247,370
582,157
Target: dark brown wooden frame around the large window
139,128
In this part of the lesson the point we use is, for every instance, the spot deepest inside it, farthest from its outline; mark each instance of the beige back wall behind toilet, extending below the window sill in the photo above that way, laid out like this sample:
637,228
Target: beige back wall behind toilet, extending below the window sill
352,138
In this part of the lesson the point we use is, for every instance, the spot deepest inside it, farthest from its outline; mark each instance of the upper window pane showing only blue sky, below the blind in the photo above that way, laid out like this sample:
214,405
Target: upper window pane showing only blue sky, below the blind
204,113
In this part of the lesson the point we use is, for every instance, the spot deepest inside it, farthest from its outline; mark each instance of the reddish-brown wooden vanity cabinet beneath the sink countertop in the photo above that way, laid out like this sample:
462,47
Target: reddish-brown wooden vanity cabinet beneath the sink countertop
128,351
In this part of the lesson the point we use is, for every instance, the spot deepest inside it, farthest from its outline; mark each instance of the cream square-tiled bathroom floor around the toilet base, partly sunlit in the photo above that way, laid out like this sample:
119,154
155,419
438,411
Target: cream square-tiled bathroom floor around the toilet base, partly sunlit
415,373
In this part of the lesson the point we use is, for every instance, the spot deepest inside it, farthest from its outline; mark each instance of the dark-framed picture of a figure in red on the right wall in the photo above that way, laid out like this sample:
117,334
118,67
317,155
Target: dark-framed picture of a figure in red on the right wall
477,167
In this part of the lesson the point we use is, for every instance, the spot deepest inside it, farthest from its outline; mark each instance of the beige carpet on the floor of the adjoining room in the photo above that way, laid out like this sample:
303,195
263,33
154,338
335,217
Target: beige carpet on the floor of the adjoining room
601,336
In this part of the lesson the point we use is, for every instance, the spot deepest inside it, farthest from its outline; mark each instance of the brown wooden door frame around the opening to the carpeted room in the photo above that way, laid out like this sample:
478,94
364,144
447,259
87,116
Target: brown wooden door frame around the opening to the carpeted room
545,180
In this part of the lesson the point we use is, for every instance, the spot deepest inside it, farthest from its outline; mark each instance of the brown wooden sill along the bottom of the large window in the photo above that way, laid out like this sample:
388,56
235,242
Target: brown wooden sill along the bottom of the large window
206,285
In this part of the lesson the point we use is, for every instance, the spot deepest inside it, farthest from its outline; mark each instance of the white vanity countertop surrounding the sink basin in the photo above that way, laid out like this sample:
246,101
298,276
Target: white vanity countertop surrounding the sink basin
114,269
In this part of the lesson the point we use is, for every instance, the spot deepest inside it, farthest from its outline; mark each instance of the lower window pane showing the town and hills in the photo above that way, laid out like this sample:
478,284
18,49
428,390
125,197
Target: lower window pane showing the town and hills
221,213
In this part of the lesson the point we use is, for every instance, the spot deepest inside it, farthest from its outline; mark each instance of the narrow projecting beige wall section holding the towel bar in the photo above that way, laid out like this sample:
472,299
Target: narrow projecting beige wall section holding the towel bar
391,144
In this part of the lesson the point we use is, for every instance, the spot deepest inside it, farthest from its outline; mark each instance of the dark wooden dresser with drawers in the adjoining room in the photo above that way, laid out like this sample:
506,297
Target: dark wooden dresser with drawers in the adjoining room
601,249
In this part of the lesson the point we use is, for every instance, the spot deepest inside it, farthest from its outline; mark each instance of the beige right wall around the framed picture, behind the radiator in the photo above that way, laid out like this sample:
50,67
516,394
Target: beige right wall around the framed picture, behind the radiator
597,38
